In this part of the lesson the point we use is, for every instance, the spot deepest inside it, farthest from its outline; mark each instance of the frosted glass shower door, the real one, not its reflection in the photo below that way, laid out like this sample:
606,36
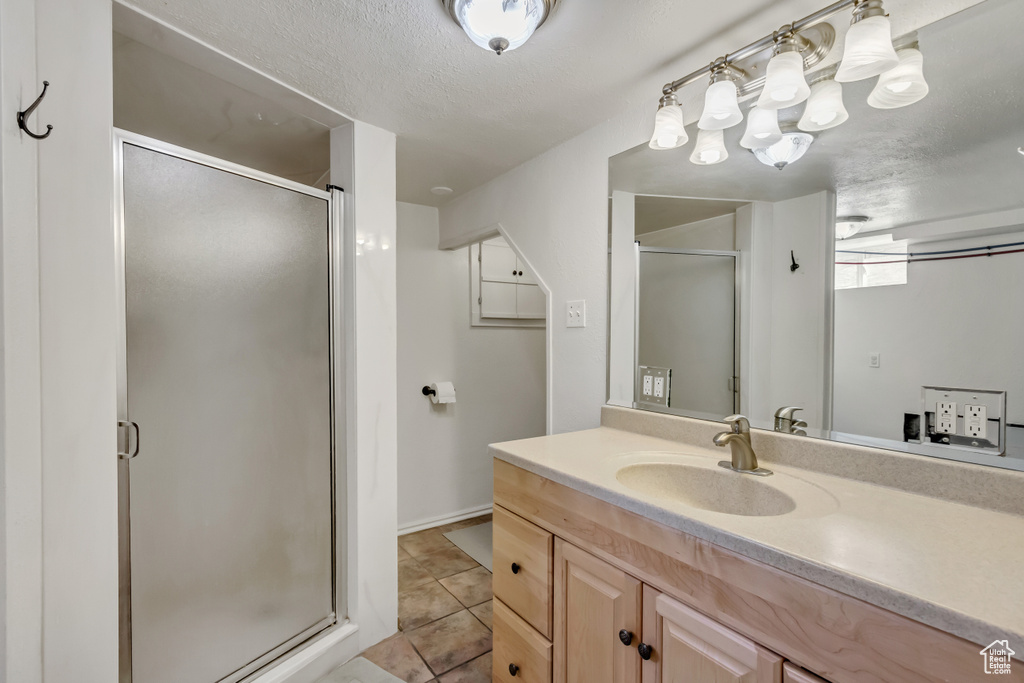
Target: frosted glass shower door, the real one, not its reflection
228,322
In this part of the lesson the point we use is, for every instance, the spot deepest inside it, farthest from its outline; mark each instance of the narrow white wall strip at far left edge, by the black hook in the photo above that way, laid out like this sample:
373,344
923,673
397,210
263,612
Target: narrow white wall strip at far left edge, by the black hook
21,431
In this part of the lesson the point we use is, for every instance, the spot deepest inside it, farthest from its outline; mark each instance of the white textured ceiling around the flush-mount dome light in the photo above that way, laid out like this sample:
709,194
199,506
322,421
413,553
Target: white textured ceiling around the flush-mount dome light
465,116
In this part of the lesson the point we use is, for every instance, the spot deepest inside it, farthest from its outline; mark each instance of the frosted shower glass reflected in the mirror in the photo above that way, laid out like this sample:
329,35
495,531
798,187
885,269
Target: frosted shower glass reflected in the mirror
687,321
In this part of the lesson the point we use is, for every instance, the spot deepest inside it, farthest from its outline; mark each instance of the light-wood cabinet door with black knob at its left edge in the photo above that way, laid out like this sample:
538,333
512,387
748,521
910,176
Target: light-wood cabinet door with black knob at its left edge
690,648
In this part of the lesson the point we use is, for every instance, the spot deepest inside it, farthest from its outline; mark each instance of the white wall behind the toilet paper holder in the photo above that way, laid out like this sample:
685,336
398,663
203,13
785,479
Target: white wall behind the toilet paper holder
499,375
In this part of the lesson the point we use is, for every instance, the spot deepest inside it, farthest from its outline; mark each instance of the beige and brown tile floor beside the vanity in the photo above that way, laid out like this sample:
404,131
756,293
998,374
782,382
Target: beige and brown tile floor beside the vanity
445,613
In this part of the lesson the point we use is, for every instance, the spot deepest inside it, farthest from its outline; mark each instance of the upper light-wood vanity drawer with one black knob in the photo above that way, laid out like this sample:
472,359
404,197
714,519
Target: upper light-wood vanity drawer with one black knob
524,565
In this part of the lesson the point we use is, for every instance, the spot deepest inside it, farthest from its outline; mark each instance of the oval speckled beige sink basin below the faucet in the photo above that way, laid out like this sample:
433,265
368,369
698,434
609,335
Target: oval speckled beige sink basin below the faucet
709,489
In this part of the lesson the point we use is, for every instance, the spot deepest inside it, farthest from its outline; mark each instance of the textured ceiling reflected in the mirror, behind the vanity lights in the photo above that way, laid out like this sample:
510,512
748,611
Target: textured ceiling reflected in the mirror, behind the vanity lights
954,154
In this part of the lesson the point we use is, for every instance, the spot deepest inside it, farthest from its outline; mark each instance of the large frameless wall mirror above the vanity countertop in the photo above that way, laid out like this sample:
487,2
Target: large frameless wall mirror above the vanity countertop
877,283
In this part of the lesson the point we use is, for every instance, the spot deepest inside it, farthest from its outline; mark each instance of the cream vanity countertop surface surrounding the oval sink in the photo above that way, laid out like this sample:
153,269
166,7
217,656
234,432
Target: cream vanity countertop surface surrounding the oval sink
950,566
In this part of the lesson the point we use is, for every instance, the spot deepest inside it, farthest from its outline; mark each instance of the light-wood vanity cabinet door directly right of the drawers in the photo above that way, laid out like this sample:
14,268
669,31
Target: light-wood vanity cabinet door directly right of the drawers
593,603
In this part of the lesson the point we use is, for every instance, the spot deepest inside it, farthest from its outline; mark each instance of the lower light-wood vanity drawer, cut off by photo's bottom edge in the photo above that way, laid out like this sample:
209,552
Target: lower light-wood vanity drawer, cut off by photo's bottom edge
519,646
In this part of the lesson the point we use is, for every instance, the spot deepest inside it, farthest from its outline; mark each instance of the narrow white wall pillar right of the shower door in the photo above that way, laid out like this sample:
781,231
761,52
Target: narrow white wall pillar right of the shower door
363,161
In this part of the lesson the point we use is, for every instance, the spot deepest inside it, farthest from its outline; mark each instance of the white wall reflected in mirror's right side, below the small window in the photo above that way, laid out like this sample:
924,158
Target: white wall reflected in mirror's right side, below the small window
956,323
